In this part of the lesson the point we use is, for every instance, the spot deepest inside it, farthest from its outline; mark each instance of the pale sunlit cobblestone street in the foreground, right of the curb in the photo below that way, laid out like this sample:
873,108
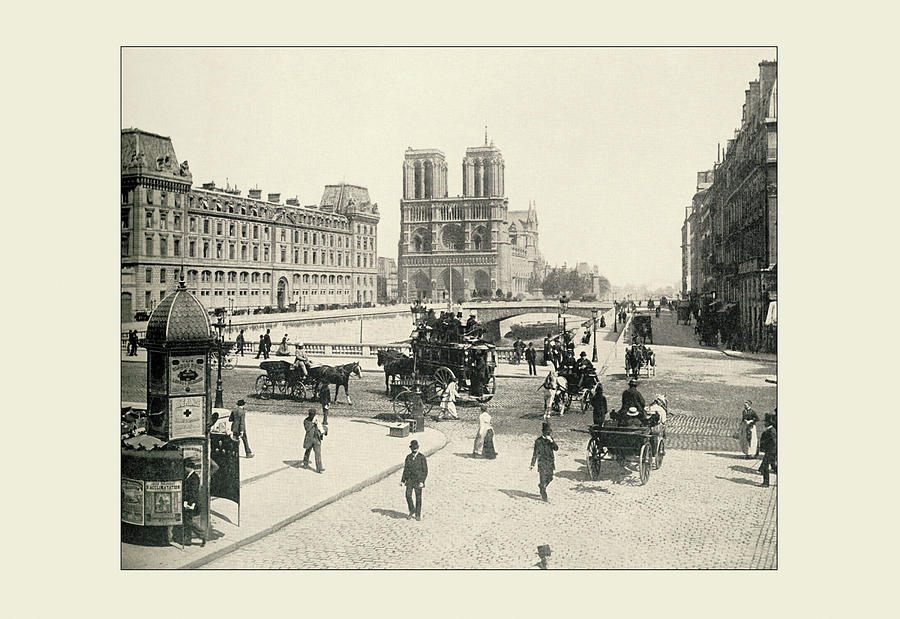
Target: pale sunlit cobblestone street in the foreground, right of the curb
700,510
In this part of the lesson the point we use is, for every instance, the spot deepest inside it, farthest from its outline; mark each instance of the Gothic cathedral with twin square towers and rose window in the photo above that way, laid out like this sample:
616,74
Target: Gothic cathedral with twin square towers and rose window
457,247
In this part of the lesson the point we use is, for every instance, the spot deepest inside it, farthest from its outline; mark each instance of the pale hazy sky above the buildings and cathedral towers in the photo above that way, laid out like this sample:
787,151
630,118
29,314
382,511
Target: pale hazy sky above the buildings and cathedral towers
606,141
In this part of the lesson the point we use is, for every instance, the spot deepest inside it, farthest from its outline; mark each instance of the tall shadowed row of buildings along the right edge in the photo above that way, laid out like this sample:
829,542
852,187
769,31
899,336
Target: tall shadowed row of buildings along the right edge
732,251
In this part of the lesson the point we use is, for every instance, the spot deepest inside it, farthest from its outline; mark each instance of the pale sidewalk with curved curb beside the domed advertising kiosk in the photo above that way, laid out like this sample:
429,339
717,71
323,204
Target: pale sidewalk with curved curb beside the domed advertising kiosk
276,490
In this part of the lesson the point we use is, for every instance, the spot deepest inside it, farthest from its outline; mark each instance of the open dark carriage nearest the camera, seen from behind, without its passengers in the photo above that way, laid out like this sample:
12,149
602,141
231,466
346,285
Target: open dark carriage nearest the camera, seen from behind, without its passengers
639,445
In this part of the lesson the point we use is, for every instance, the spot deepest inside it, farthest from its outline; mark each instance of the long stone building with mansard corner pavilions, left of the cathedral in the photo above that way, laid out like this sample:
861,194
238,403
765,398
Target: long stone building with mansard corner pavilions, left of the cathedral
238,252
